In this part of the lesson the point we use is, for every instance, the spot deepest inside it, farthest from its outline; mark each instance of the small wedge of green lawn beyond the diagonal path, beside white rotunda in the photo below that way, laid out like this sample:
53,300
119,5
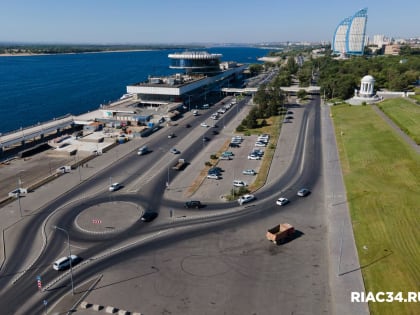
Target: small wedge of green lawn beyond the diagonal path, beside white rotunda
405,114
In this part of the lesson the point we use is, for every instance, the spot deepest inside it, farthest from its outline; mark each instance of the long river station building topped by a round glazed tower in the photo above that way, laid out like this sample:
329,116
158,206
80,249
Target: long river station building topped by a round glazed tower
202,73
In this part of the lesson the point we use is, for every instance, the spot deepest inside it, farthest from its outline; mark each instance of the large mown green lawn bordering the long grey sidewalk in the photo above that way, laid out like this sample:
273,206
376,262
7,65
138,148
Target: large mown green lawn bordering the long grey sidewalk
382,178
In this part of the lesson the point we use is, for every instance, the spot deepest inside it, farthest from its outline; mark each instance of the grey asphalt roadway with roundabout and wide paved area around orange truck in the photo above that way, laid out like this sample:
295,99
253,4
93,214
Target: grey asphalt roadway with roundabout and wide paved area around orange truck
211,261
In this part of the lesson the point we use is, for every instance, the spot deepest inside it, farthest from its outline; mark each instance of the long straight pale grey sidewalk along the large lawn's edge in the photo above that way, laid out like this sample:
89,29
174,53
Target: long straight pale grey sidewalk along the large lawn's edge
345,273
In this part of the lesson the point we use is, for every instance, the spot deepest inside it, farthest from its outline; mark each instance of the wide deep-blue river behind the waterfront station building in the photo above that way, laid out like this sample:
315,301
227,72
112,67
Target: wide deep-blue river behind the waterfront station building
39,88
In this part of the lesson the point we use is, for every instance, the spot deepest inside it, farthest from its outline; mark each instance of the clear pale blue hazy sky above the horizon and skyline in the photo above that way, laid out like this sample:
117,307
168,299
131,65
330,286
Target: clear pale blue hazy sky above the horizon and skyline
185,21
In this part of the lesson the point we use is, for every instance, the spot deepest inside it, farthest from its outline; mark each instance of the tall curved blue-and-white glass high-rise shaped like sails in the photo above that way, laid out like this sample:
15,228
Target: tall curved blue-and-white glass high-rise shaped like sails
349,36
